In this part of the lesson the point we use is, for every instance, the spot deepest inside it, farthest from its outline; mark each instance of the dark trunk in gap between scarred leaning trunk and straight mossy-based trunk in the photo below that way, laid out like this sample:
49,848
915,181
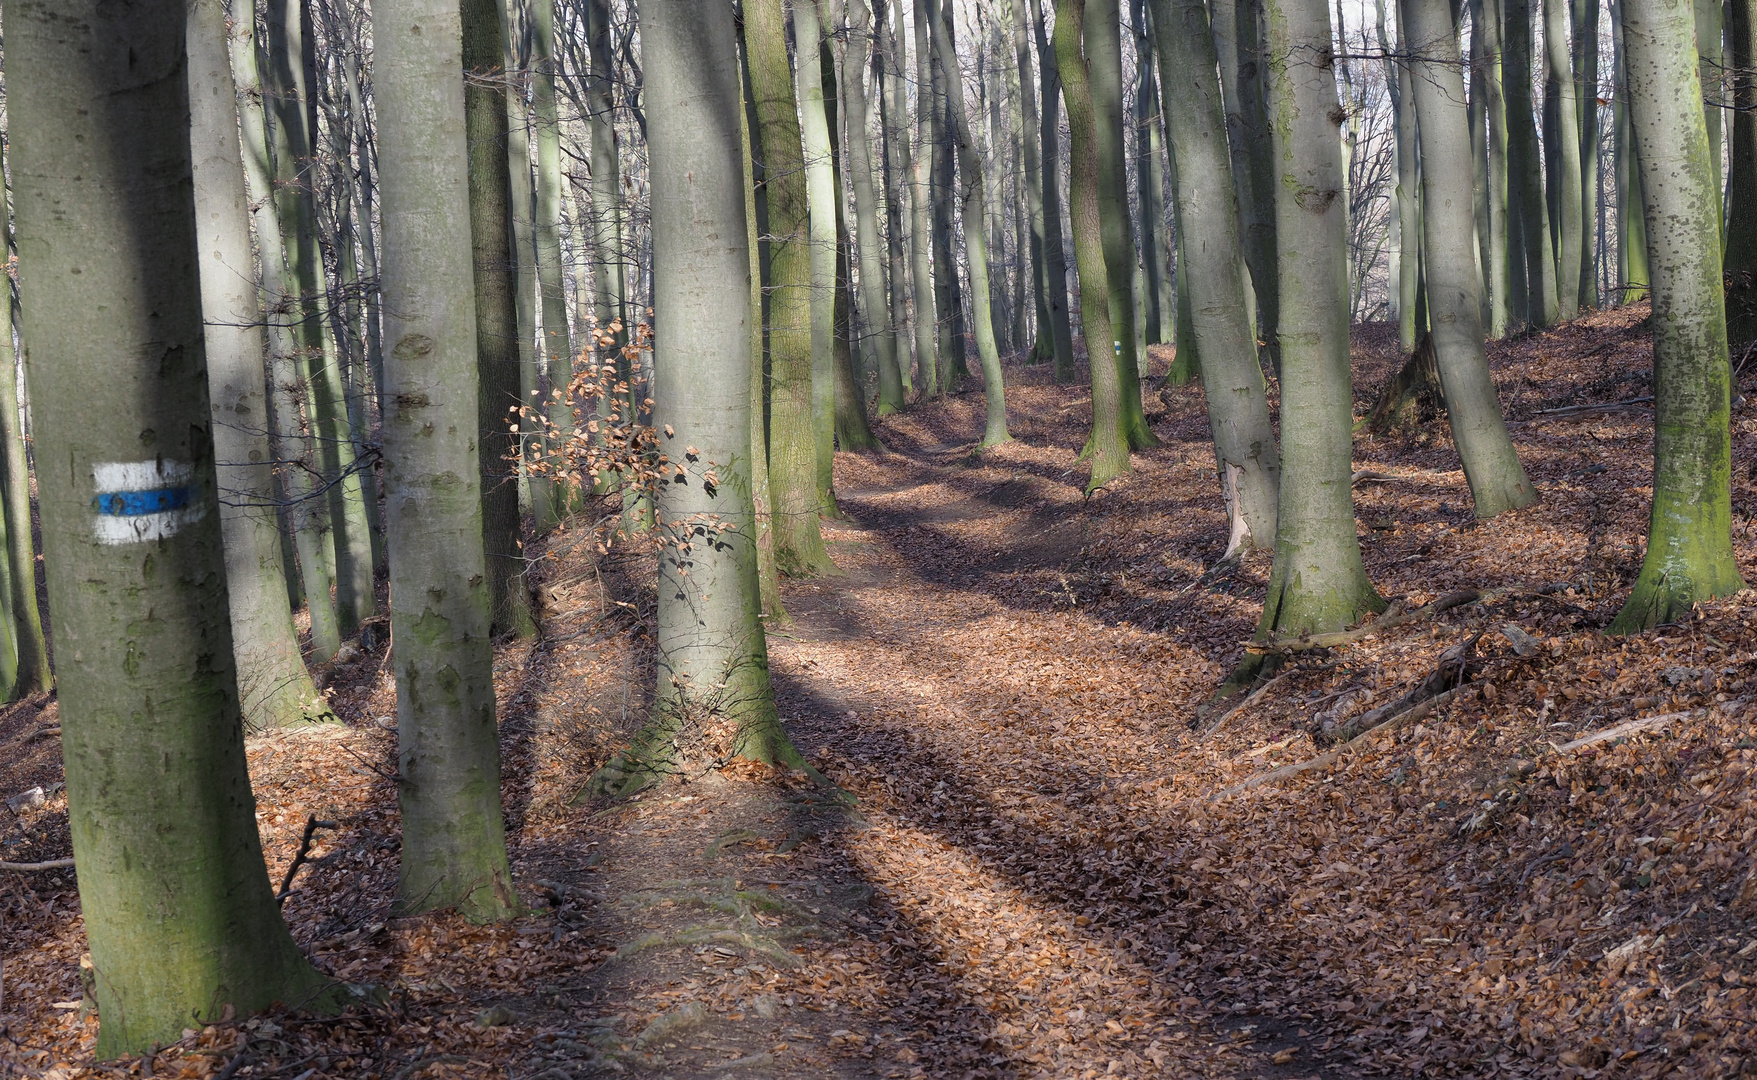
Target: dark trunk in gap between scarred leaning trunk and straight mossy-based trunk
1240,38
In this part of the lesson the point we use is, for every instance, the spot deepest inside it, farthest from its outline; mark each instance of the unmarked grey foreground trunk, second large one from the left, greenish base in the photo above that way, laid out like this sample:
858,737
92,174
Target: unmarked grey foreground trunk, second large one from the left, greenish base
449,751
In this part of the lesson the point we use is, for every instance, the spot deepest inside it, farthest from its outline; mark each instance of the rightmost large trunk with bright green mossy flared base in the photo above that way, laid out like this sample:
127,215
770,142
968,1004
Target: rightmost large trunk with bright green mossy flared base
1689,554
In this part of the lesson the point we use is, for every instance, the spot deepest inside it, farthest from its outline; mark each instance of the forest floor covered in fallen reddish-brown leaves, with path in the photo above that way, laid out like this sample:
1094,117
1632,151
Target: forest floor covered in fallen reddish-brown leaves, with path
1046,868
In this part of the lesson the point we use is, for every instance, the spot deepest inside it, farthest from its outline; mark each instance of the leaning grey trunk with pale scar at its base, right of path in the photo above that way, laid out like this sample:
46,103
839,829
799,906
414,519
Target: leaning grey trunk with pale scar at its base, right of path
1213,277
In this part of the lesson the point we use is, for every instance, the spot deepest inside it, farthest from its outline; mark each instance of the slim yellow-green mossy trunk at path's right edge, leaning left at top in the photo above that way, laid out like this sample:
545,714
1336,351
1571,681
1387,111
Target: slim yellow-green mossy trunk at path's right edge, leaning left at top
1108,445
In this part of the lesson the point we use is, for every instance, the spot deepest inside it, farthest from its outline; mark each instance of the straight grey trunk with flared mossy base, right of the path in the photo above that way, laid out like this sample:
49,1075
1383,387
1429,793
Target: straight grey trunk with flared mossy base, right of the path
1319,582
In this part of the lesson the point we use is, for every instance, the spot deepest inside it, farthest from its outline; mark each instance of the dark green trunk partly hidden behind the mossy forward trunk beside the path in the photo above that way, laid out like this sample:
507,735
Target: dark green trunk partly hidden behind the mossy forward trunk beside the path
1104,57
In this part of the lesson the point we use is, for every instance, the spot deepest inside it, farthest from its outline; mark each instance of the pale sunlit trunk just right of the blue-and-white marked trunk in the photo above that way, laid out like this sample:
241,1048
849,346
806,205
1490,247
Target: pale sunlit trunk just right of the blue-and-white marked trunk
273,682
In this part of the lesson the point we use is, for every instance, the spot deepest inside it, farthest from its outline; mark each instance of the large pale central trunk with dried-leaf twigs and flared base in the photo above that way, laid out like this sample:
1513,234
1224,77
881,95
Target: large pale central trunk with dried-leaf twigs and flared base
712,700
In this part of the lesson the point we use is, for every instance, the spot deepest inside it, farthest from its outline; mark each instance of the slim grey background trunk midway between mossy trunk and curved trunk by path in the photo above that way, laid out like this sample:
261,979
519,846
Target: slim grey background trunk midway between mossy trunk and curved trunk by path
867,243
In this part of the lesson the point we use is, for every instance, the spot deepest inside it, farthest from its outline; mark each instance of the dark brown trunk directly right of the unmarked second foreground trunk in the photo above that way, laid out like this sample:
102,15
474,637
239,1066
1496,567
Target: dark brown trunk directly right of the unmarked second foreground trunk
498,375
